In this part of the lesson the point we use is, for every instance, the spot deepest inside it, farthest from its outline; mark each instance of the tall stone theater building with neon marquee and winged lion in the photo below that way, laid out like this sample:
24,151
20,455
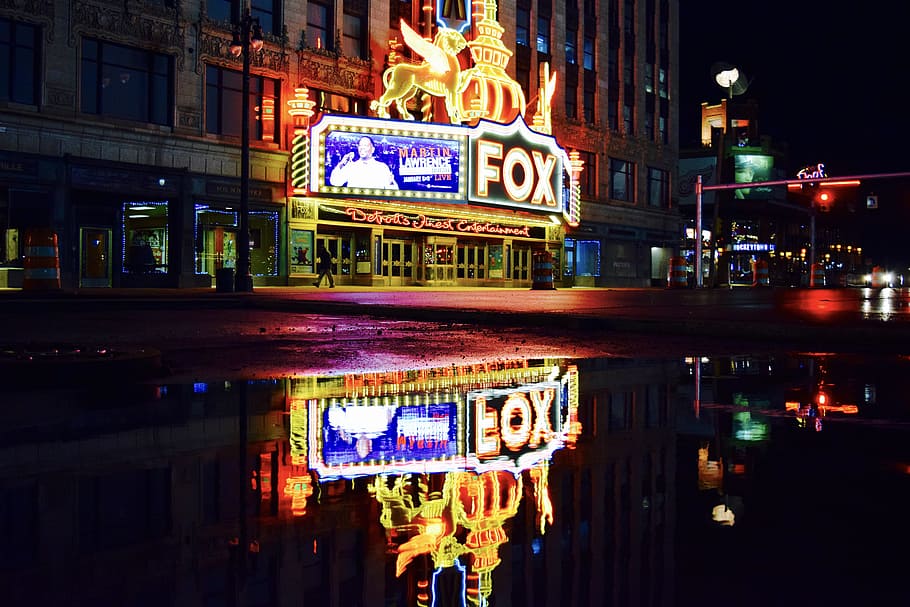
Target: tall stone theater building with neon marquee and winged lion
120,135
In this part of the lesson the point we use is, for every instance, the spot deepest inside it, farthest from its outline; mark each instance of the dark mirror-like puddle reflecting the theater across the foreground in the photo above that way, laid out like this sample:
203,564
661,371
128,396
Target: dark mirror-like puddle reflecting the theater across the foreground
667,480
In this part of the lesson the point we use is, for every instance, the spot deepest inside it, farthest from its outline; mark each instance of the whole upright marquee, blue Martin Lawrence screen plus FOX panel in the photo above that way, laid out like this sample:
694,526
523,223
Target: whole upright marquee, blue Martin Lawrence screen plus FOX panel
504,165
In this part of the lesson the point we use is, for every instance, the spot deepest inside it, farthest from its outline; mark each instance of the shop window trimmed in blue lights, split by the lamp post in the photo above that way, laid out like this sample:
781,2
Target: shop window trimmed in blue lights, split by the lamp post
216,240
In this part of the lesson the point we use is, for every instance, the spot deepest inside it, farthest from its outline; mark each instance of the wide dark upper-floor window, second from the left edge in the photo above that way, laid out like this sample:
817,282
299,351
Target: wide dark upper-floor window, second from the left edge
128,83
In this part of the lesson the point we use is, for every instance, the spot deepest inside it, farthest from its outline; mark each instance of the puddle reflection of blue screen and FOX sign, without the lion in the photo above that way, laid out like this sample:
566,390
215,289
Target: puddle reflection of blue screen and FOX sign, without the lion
413,430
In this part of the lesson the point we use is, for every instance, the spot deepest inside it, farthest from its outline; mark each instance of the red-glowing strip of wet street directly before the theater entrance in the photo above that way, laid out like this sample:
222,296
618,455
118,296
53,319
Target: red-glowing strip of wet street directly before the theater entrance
816,318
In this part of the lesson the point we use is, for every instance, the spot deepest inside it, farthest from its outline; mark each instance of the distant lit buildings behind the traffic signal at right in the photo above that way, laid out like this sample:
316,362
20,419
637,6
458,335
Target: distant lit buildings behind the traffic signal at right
774,225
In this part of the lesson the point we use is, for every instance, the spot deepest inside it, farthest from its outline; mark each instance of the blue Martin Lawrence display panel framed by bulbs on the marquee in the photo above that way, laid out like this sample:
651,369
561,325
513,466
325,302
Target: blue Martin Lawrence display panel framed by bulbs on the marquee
368,157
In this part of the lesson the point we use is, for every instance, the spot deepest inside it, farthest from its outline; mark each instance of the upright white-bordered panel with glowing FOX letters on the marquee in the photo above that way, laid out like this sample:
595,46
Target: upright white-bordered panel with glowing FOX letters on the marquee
513,166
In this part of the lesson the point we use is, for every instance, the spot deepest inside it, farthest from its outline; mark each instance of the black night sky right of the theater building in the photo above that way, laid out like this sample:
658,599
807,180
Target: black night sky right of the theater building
830,79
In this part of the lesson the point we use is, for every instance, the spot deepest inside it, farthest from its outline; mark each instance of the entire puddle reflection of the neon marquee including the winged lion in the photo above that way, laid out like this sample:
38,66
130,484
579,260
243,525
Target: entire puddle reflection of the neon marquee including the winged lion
447,512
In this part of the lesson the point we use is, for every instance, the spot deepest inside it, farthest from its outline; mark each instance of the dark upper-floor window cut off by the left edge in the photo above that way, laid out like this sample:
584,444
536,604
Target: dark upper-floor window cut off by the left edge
19,61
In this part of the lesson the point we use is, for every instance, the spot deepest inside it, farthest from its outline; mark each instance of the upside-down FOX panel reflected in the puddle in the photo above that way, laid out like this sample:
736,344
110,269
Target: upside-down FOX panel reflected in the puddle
515,426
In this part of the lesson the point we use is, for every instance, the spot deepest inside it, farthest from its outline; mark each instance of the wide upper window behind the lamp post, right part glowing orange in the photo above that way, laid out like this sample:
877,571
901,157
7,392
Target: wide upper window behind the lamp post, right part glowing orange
224,92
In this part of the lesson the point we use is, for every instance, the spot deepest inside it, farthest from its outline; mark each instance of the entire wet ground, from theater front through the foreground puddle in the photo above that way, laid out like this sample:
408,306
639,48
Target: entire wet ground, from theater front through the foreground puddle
416,447
